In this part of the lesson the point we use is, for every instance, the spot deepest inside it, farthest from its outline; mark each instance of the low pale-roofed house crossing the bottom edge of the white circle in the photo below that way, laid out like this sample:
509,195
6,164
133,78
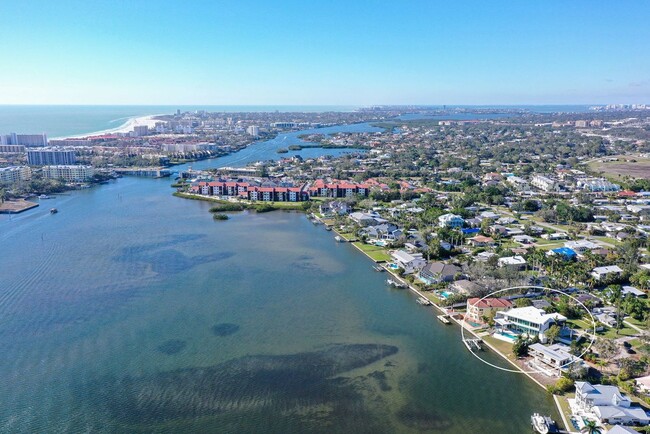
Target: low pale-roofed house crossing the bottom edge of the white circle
553,360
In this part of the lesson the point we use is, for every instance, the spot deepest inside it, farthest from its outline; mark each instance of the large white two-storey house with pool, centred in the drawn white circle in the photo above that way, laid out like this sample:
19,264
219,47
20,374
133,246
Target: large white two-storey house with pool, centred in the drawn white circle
528,321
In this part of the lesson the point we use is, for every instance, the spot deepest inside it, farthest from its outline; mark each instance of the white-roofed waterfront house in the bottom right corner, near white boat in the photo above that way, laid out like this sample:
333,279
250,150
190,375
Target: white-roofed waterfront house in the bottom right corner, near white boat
608,404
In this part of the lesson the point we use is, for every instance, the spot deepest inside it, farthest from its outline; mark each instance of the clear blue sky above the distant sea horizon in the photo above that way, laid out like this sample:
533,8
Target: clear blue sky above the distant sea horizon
324,52
